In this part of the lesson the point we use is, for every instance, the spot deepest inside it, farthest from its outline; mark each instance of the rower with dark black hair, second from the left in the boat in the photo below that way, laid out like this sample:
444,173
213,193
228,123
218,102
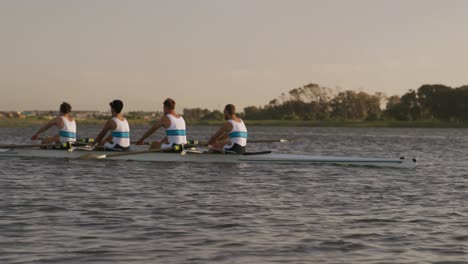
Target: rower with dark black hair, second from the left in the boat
119,138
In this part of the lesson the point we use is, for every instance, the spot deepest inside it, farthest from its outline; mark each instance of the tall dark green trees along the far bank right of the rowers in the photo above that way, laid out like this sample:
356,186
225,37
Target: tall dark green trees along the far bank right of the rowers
313,102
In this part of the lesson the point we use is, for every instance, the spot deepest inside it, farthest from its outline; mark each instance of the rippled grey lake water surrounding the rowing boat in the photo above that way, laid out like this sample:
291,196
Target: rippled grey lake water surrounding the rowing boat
69,211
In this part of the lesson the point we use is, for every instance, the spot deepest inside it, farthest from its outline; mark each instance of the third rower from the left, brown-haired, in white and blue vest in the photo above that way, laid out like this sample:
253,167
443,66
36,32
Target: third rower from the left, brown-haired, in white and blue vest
174,125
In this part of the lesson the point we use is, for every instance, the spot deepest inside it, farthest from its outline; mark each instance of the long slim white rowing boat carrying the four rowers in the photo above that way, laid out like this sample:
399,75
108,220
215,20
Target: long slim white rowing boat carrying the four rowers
203,156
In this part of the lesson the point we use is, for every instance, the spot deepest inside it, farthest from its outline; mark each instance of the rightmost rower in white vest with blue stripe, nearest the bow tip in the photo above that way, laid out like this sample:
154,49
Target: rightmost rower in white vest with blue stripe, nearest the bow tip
234,130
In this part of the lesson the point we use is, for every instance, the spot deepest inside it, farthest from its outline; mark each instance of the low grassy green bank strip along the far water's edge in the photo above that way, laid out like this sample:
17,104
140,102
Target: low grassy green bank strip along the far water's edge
27,122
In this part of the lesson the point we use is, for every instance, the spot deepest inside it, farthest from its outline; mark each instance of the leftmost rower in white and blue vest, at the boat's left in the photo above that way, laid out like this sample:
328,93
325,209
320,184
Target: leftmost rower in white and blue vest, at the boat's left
64,122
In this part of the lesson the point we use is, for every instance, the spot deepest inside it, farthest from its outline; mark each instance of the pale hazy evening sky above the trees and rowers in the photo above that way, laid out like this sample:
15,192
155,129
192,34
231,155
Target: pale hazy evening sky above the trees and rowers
206,53
